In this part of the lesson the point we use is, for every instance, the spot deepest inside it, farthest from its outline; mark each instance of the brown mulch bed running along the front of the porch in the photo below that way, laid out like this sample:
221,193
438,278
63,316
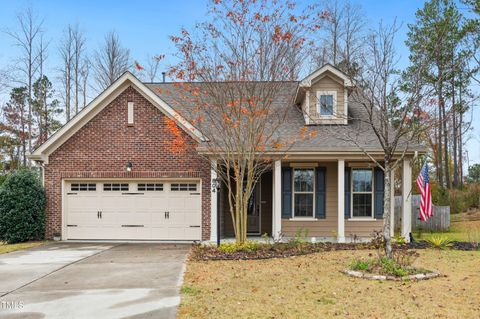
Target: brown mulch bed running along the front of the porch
282,250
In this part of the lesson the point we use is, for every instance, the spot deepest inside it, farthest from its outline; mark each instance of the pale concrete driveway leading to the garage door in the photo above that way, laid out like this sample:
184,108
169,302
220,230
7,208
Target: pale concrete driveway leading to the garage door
83,280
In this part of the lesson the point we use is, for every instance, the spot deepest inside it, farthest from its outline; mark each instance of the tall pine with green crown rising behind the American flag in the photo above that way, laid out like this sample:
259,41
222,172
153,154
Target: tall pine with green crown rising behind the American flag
437,36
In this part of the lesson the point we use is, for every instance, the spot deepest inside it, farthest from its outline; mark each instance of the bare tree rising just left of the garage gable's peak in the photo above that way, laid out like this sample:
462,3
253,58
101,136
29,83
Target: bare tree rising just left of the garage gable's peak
110,61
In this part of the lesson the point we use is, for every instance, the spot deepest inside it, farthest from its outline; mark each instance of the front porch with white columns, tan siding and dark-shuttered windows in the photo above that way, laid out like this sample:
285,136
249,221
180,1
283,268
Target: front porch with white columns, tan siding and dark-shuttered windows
324,200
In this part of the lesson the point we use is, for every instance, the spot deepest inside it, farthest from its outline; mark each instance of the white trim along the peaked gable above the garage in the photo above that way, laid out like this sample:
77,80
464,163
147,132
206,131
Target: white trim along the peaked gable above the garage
99,103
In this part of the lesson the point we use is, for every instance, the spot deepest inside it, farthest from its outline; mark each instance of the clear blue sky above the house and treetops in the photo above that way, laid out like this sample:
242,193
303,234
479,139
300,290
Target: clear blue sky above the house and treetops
144,27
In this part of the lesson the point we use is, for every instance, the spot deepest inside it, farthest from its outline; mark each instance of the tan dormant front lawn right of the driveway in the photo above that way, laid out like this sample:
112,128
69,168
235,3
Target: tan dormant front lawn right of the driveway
312,286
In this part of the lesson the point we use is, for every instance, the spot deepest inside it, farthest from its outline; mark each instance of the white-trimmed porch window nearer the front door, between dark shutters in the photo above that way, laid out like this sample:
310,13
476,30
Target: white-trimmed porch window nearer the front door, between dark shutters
303,192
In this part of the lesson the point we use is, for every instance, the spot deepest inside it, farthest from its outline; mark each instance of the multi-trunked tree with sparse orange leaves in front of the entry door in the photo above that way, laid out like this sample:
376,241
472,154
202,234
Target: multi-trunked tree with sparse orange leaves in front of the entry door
240,56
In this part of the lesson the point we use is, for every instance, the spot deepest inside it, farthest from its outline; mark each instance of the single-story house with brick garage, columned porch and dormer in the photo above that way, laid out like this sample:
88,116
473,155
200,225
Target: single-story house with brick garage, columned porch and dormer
110,173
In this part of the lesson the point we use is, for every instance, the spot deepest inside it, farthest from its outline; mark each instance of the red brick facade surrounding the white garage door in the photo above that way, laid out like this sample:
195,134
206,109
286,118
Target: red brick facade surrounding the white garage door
103,146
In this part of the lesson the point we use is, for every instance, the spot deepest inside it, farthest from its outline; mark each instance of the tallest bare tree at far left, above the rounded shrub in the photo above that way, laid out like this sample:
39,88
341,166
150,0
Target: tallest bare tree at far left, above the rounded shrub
26,38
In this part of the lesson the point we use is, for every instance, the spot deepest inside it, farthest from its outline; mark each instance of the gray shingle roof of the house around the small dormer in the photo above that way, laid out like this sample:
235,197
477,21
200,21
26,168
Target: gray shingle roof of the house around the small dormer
326,137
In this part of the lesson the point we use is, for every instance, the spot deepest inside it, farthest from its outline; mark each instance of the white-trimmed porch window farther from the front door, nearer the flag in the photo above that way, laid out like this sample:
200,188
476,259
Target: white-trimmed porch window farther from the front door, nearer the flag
362,193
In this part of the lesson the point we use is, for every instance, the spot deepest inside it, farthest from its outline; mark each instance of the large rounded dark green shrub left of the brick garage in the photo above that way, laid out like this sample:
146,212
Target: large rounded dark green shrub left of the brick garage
22,207
